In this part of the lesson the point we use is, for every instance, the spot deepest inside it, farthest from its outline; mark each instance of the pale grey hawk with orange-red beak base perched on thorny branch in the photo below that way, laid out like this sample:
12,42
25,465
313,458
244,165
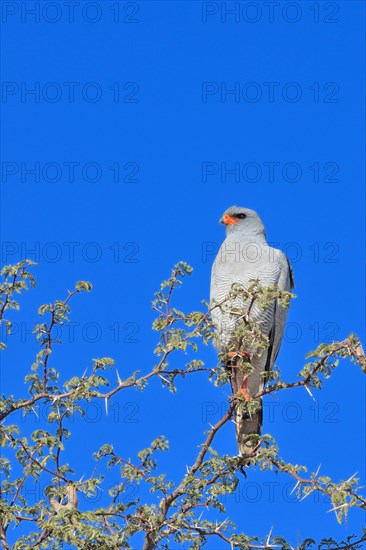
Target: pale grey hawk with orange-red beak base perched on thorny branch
243,257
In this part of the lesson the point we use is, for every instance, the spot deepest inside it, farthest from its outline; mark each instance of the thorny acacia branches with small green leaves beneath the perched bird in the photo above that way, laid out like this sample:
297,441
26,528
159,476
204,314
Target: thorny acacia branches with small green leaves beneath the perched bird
173,512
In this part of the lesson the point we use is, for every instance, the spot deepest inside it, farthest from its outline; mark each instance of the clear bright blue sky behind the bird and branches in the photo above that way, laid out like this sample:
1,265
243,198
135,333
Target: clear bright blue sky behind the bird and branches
143,126
